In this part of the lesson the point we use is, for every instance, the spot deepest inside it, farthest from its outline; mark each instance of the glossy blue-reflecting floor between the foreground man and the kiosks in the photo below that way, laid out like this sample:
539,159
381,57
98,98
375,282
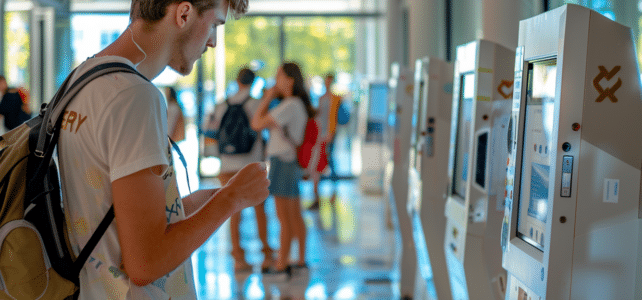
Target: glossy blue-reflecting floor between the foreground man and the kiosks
350,252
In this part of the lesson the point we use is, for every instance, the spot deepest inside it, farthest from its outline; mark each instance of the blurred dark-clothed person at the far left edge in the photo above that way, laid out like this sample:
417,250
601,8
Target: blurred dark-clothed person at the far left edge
12,106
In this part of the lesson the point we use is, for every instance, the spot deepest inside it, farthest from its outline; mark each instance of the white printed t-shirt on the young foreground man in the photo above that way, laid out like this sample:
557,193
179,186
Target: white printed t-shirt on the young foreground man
116,126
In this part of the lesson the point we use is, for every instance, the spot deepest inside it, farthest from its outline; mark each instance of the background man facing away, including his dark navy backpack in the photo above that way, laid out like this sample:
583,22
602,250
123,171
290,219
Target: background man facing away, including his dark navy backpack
240,145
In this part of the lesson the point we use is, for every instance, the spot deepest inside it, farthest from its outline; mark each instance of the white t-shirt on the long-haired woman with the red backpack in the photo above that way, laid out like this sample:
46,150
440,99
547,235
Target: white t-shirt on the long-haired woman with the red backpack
291,116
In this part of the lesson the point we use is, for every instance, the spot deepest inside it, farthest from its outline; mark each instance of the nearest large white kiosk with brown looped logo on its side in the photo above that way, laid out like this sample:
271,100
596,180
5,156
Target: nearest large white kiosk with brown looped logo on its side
573,189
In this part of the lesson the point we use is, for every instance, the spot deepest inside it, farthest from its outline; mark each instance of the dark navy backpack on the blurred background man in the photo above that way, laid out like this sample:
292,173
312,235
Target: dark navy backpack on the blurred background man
235,136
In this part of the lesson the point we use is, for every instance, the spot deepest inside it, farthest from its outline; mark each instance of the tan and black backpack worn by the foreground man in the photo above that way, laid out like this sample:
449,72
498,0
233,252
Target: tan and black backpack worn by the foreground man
36,259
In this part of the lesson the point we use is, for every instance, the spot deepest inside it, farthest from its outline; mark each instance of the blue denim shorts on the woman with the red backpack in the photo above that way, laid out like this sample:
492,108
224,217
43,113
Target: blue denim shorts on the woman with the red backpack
284,178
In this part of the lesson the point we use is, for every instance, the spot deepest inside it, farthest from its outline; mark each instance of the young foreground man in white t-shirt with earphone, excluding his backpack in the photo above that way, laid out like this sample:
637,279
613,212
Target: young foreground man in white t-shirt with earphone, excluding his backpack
113,149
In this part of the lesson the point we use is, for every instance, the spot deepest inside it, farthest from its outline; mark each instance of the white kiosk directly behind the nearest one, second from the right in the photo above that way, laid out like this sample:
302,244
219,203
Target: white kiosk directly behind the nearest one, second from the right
475,207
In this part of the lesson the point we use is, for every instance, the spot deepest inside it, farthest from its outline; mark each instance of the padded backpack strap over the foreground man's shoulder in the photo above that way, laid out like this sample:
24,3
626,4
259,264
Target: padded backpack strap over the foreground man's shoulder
56,107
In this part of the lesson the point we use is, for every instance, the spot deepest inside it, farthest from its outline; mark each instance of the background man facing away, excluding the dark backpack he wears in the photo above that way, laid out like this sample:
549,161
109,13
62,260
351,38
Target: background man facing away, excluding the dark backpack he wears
232,163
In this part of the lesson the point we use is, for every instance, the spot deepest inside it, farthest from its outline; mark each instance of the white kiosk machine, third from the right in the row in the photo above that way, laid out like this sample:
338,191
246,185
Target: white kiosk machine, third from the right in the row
430,140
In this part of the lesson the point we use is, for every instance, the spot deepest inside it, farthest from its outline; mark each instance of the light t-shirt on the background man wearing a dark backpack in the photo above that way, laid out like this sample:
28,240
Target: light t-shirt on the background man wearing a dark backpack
233,163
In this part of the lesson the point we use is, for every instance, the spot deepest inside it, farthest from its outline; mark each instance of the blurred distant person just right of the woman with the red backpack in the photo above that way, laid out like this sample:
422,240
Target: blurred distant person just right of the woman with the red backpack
327,119
